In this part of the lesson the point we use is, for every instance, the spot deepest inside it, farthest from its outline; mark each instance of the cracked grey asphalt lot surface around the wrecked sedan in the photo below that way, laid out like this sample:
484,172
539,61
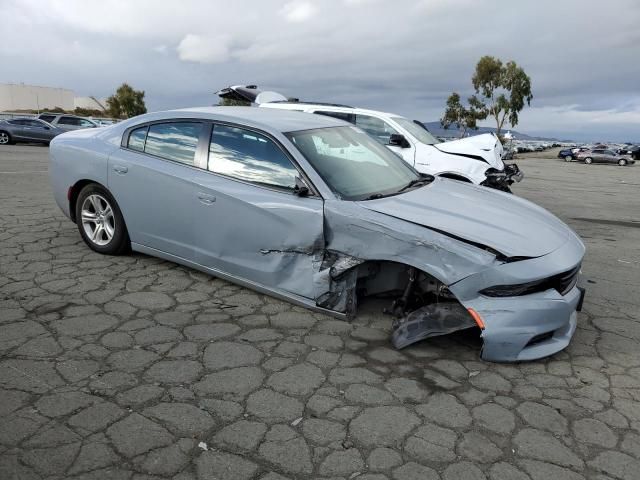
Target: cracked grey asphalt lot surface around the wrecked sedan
136,368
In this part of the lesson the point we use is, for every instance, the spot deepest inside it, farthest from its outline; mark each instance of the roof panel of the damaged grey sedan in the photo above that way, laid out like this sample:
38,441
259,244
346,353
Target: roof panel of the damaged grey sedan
263,118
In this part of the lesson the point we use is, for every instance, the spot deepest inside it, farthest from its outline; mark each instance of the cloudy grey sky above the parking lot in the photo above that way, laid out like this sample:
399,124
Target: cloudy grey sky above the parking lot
583,56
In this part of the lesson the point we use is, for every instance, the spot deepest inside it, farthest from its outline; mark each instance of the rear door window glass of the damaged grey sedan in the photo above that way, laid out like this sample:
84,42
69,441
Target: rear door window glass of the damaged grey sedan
174,141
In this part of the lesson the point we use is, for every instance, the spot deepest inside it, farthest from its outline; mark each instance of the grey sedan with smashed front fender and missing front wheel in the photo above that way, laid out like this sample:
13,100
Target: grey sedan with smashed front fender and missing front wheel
311,209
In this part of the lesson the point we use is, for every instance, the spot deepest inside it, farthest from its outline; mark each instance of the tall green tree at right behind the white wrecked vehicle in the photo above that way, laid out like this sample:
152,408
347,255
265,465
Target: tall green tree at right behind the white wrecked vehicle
502,89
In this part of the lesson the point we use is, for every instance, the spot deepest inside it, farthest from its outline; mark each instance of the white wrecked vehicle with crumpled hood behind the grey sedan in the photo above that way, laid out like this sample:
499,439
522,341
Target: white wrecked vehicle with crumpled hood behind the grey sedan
476,159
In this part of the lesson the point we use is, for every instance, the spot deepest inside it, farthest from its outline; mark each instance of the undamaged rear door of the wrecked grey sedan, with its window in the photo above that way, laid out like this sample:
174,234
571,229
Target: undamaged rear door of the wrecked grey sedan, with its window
152,178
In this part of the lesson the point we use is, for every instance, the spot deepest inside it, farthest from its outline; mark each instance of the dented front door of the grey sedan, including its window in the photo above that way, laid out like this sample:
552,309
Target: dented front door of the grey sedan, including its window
249,222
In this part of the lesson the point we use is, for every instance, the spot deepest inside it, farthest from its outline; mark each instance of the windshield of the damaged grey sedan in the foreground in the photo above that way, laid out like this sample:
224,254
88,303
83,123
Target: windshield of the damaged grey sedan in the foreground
352,163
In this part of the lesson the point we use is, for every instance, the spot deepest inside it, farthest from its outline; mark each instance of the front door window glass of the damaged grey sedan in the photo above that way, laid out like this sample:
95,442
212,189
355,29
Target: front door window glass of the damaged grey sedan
251,157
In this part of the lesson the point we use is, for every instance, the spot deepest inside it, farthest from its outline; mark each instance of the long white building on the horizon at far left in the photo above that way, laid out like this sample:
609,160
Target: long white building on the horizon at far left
16,97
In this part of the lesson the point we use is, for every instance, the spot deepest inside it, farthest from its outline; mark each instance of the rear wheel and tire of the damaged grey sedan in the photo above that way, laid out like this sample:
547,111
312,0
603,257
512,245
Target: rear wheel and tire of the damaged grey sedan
116,244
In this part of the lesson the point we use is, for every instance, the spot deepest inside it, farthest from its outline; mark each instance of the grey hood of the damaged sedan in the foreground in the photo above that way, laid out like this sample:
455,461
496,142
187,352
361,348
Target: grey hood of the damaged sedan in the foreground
511,225
